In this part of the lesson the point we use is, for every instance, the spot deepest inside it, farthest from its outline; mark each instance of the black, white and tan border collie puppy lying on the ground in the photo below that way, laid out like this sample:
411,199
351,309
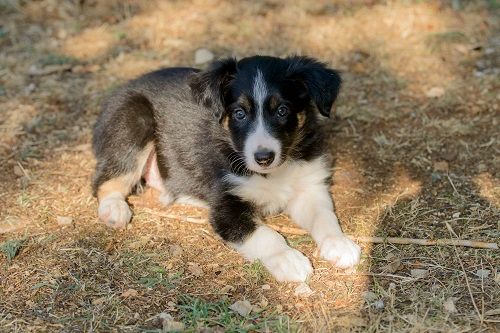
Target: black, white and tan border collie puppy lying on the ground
242,137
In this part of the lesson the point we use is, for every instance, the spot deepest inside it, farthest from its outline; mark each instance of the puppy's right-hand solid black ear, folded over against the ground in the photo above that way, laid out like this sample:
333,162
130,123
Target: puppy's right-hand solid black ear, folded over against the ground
321,83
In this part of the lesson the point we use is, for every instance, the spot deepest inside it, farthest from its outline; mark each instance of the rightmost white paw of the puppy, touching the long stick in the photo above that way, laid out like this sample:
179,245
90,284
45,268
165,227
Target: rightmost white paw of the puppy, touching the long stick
340,251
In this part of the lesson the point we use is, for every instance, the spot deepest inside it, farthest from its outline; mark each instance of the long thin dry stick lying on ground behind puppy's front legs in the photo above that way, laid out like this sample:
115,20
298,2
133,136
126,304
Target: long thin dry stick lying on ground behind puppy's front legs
363,239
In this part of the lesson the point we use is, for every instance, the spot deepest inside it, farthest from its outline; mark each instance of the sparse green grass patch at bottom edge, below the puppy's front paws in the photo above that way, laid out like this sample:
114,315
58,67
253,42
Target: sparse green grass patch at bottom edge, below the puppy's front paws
198,314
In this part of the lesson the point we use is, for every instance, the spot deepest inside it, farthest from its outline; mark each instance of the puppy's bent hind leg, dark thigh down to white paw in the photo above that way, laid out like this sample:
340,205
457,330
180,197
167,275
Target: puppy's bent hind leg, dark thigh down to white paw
123,142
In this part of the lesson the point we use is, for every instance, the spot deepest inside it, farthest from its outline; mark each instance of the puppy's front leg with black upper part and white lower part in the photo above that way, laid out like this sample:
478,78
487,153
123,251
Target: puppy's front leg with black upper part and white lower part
237,222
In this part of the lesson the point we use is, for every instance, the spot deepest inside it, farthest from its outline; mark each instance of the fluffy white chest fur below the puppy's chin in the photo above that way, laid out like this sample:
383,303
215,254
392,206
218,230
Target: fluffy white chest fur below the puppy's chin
273,192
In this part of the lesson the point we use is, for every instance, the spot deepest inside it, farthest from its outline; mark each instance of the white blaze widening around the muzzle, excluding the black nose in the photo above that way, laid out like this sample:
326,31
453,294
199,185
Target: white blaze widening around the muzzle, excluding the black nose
260,138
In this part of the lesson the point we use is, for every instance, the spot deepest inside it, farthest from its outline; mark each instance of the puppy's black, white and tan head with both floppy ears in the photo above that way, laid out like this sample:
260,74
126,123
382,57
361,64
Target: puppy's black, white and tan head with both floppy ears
267,104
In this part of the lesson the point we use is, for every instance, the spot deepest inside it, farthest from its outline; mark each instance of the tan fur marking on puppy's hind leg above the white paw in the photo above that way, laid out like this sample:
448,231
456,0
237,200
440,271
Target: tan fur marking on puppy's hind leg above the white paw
123,184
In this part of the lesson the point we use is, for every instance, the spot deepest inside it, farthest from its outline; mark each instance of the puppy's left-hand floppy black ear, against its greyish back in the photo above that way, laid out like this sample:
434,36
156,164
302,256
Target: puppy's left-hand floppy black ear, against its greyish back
209,87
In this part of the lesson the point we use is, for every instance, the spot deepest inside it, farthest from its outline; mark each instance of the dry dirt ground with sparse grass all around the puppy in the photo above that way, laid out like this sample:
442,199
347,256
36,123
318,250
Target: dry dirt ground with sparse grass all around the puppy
415,139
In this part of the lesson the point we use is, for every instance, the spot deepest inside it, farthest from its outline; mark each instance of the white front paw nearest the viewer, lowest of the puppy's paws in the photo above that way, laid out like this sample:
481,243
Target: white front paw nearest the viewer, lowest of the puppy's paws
289,265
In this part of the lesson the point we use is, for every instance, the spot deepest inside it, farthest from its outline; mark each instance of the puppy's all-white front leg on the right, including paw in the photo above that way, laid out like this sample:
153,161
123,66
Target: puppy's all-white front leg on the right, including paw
313,210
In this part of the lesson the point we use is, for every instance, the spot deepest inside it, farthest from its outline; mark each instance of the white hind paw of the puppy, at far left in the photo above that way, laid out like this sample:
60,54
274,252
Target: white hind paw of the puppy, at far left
115,212
